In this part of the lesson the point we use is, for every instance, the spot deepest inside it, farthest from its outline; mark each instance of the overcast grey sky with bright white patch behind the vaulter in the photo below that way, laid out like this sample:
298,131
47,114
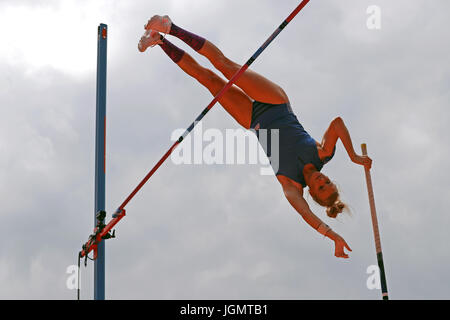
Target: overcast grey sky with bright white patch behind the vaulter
222,231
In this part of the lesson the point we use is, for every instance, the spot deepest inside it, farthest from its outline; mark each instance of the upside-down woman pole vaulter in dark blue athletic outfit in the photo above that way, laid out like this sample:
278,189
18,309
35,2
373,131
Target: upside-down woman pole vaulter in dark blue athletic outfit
257,103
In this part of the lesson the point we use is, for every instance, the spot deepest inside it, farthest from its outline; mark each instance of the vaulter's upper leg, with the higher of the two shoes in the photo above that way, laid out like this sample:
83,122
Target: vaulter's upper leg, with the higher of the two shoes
256,86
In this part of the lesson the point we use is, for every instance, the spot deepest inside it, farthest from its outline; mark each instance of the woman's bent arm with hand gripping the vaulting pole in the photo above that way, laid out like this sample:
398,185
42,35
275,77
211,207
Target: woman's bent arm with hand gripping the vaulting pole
338,130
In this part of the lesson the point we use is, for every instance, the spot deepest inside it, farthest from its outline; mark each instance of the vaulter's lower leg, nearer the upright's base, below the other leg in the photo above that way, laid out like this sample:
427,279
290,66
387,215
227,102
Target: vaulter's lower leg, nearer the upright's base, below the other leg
234,100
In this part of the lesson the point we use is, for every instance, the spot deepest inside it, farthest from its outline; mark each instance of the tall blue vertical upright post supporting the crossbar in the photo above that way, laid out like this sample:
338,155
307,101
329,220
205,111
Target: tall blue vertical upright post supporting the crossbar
100,151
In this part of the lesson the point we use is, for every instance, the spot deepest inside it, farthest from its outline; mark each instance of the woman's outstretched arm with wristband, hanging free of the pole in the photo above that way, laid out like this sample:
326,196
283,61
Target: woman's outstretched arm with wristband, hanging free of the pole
295,198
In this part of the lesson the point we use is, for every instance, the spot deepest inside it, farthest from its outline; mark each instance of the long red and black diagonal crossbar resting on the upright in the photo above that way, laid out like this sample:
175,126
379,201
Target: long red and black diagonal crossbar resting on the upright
120,212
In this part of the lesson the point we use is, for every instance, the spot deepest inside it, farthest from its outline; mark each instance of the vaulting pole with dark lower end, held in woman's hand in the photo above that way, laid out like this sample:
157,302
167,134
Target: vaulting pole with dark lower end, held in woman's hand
376,232
